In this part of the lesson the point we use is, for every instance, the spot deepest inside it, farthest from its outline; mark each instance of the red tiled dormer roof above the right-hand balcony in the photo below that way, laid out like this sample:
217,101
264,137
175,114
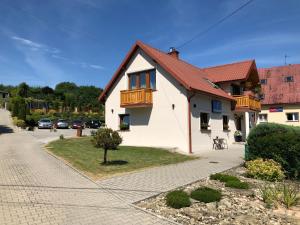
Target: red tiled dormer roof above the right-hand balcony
229,72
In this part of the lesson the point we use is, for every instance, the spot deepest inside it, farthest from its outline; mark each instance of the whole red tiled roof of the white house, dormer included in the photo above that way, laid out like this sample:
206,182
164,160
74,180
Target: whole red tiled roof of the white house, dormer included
191,77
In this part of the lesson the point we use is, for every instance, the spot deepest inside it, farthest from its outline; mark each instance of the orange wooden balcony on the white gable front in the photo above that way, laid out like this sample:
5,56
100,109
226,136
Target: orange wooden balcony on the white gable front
136,98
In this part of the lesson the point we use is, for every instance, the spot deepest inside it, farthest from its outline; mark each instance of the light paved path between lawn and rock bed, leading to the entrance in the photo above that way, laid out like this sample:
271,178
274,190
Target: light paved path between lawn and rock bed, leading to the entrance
144,184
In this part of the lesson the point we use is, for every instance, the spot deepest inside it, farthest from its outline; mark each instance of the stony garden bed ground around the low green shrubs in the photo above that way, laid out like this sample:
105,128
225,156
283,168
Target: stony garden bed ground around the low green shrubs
236,206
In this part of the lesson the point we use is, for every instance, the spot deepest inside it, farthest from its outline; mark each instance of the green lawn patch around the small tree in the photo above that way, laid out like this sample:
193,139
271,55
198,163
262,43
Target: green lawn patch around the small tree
84,156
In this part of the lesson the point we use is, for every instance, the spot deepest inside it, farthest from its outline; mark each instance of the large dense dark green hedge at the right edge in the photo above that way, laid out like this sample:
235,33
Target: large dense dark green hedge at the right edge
278,142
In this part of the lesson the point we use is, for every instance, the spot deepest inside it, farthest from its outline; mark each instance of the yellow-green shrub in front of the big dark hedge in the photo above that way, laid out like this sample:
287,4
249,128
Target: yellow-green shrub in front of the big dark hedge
265,170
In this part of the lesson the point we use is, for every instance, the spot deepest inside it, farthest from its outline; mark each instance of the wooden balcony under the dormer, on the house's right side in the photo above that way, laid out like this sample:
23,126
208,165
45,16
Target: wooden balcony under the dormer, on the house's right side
246,103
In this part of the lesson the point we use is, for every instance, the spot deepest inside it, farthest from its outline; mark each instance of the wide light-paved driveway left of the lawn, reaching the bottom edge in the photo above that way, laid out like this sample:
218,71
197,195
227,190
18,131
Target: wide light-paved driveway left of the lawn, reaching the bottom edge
36,188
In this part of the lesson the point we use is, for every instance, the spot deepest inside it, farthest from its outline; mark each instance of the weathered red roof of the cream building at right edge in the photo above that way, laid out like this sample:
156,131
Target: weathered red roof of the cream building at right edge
277,91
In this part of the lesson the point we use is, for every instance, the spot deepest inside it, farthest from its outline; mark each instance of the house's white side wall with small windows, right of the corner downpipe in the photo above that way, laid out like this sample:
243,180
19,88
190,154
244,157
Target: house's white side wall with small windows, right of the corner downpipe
202,141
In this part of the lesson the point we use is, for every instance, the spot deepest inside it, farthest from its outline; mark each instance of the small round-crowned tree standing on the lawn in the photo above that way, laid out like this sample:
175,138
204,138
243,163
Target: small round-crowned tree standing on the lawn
107,139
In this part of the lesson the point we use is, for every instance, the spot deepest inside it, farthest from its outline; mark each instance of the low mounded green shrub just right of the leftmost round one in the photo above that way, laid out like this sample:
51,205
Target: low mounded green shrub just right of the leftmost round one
205,194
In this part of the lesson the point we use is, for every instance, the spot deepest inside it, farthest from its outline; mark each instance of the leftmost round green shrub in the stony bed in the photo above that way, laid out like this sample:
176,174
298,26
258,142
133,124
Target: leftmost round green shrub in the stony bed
178,199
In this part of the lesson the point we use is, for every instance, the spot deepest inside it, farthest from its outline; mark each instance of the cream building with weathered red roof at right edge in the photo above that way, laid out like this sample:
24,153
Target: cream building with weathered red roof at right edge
281,94
